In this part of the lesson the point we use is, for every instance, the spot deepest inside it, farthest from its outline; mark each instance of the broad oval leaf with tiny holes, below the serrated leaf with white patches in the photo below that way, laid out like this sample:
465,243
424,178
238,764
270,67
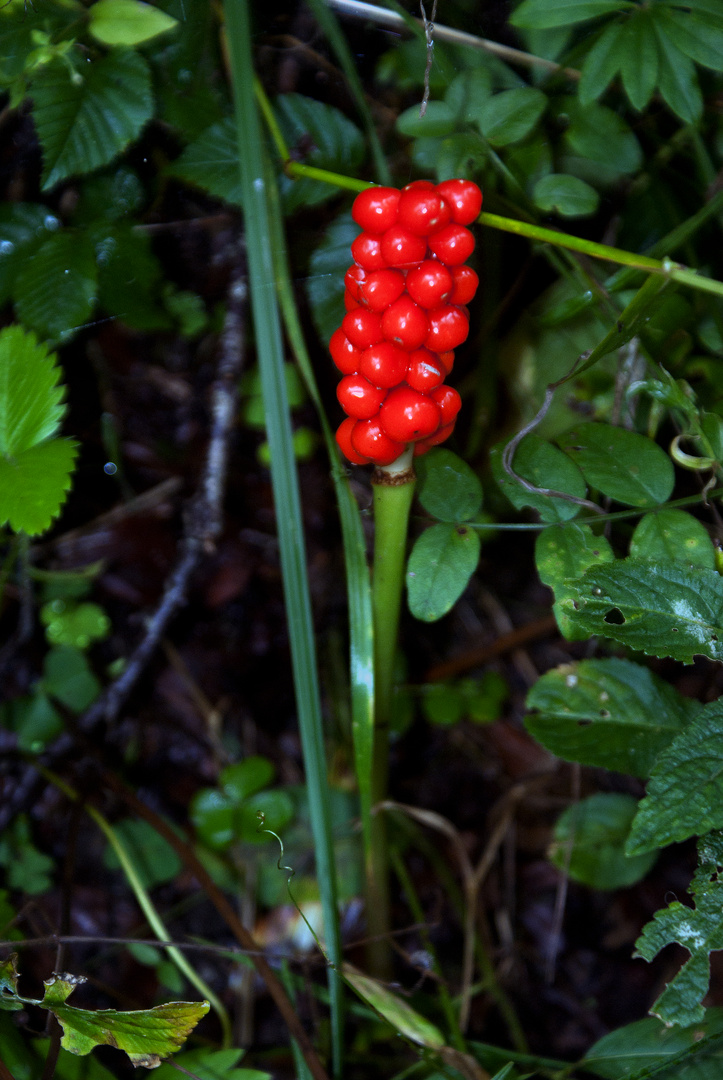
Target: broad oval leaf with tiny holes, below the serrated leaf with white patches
609,713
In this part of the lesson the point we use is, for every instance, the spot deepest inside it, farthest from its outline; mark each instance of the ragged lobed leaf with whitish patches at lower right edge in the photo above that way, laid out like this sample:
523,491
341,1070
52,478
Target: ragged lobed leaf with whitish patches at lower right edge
700,930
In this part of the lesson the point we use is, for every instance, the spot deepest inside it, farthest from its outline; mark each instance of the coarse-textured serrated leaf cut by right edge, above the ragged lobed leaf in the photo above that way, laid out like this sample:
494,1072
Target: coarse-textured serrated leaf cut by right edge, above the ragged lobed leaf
685,796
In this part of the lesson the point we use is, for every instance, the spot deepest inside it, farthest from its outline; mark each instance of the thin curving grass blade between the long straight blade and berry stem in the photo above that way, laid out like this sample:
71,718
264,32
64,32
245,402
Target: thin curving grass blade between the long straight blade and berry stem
359,589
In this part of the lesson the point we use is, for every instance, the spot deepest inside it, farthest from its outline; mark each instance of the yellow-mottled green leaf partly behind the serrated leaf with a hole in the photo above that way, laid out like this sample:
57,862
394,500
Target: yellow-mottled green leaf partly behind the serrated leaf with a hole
564,553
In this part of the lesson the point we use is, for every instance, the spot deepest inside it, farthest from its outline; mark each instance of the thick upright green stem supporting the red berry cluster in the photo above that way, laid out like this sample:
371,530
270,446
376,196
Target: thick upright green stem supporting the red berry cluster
393,502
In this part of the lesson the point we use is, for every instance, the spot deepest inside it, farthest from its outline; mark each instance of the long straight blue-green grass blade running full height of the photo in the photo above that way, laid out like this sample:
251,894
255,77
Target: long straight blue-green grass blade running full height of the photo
285,480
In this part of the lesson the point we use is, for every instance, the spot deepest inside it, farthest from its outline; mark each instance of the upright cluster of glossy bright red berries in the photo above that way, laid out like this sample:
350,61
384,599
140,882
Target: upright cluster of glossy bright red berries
406,299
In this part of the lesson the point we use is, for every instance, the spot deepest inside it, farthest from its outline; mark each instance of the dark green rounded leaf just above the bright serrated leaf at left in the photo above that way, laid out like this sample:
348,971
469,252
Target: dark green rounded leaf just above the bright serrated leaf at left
56,290
